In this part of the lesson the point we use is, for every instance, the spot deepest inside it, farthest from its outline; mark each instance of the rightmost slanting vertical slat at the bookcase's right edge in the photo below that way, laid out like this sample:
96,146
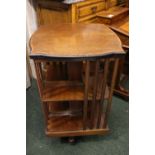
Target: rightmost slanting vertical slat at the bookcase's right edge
111,92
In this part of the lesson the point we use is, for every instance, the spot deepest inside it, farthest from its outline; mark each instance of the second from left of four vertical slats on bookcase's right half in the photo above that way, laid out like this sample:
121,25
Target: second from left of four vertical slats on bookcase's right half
94,94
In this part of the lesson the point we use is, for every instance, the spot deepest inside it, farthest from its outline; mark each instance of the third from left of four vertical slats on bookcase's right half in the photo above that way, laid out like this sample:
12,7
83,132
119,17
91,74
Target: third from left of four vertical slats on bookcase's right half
103,88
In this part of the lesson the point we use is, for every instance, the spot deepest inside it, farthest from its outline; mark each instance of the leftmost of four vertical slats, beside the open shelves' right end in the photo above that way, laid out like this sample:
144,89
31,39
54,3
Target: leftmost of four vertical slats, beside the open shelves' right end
85,107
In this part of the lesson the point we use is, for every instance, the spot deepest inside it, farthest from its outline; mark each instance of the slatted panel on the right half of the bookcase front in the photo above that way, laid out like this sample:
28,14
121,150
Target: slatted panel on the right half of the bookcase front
99,112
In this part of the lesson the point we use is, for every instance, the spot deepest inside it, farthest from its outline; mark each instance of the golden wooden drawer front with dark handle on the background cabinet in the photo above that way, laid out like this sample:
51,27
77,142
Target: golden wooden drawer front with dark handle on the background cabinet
90,9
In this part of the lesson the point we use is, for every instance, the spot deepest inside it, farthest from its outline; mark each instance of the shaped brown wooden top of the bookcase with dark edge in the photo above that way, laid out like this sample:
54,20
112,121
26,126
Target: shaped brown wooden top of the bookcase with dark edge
74,41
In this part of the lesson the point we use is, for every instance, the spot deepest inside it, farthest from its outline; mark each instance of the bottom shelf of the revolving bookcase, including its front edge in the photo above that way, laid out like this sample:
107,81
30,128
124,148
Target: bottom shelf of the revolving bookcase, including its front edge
70,126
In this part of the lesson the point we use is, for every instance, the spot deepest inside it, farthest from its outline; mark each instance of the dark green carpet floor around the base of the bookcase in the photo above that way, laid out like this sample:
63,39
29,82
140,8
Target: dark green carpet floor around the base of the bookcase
37,143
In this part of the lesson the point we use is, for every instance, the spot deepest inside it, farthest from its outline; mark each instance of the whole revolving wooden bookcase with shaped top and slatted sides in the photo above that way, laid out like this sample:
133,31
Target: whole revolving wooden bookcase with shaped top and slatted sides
73,76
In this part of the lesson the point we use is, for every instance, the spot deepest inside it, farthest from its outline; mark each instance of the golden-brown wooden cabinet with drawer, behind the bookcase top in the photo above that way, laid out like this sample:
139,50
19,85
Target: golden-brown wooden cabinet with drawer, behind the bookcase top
58,12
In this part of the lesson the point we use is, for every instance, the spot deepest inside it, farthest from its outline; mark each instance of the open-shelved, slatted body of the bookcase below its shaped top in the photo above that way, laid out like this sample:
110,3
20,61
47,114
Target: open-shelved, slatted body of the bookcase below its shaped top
63,100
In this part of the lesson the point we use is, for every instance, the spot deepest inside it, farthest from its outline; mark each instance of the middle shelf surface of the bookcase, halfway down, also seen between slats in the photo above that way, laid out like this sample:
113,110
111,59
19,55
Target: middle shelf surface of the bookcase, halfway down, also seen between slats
67,91
